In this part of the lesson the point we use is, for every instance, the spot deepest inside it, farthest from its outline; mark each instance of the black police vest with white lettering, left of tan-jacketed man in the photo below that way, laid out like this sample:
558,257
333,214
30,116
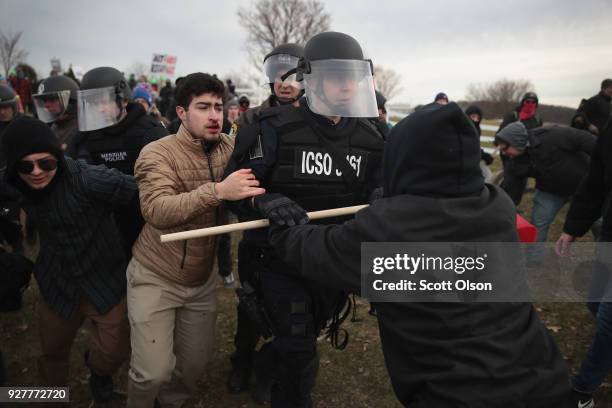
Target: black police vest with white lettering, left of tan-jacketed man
115,151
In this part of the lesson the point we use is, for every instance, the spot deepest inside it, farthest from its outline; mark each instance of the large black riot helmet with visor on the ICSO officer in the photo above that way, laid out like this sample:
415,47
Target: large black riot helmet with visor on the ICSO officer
338,81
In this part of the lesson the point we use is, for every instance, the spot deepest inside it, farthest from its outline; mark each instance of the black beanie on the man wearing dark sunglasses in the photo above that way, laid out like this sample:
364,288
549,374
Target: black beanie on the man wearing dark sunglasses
24,136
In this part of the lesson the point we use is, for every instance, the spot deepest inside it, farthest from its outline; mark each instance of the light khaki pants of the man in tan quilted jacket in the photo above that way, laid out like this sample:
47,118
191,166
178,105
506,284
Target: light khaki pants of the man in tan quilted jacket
173,330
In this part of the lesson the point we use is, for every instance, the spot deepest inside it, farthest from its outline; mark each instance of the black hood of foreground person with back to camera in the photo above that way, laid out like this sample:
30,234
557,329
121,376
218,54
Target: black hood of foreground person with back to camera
434,152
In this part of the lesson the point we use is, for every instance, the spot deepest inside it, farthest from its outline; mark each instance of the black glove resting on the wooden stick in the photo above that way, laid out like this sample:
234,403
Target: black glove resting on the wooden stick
280,210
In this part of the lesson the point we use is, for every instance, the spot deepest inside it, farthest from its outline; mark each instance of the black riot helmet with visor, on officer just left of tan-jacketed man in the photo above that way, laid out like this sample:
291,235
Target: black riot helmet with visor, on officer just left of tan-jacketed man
100,99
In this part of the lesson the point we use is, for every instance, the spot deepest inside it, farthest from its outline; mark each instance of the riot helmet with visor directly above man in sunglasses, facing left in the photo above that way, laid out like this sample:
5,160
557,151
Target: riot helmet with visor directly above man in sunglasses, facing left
56,96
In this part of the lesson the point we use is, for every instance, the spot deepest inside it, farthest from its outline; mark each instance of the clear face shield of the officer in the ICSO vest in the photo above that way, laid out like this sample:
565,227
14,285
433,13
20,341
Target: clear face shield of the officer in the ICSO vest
342,88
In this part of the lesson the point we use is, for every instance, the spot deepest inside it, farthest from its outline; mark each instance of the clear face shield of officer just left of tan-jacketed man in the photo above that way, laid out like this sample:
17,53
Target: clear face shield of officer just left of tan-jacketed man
98,108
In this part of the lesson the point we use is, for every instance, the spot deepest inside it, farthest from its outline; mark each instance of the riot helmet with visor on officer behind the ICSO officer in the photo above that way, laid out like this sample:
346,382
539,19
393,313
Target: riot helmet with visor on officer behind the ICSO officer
280,66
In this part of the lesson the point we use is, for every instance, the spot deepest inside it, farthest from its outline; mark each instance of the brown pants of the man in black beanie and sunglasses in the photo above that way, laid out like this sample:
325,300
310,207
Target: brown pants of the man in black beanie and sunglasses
111,343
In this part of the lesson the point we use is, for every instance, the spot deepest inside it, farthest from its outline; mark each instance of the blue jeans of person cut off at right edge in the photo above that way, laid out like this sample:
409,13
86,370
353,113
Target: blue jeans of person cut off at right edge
598,361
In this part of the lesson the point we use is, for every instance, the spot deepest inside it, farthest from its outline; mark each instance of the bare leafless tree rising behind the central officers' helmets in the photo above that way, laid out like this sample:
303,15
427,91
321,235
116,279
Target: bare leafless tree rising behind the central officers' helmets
274,22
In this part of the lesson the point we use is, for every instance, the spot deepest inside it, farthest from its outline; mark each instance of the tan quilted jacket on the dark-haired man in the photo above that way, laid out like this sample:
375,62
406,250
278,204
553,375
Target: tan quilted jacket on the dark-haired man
177,194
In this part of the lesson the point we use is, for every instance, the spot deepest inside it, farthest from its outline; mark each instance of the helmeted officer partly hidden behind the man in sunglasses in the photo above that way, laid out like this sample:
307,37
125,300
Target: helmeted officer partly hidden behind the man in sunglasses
56,104
